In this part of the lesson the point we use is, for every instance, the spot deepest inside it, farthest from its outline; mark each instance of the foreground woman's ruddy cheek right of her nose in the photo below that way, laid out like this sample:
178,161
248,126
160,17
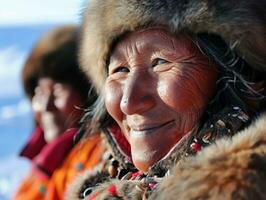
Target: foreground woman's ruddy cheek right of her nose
188,91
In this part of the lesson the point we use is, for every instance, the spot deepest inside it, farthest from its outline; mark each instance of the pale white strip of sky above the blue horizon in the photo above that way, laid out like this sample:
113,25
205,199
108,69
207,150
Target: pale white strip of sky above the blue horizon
21,12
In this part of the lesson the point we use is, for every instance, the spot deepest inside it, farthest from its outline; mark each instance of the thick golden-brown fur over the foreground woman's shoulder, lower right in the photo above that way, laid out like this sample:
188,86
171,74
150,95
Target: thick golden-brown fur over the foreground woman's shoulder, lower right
230,169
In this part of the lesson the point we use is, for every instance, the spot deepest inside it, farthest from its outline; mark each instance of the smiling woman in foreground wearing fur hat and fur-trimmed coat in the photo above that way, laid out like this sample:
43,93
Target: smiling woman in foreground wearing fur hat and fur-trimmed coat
176,76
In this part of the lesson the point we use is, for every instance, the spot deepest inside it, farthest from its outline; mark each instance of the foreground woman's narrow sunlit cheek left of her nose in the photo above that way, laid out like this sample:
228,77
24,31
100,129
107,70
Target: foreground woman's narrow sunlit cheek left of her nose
113,95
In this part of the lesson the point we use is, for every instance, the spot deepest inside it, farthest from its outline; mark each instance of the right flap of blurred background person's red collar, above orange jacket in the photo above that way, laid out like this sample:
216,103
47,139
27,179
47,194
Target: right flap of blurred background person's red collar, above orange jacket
53,154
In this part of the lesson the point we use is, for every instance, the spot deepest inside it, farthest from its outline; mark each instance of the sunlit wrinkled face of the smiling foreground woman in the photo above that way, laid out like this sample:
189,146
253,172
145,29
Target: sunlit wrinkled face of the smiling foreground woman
157,88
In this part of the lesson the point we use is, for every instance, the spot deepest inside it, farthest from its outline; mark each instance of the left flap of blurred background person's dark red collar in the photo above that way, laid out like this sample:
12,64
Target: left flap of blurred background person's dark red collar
34,144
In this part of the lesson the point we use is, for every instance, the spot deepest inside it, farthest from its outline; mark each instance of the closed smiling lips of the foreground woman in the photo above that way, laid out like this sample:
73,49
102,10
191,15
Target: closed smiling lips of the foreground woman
145,130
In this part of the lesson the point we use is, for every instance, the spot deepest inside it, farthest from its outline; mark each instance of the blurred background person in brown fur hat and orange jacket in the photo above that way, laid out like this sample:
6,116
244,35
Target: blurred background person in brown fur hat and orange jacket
58,92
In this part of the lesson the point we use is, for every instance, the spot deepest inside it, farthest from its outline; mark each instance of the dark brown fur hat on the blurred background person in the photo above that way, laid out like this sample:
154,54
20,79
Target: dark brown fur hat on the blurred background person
55,56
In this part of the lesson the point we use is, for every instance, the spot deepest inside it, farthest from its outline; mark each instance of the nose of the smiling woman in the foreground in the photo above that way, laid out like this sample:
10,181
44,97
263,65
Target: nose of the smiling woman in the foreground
138,95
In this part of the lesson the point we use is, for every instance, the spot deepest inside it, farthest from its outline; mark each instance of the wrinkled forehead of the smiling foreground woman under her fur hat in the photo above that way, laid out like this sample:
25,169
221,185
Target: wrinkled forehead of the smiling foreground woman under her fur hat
152,39
